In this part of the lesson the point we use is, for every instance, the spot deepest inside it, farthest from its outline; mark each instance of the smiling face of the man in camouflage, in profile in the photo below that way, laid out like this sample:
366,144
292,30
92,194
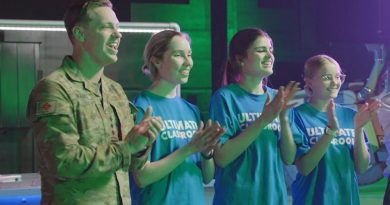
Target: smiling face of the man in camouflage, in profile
101,36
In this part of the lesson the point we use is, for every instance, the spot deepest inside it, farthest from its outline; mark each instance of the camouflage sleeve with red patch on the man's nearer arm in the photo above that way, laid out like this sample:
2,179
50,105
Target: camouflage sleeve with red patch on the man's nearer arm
62,151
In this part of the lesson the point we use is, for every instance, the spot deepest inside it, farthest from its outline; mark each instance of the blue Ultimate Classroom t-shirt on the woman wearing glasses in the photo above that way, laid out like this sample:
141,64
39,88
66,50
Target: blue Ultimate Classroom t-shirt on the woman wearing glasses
333,180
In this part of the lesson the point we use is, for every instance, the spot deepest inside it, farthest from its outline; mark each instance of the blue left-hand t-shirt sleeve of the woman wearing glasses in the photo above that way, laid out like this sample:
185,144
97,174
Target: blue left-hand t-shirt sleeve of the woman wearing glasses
297,130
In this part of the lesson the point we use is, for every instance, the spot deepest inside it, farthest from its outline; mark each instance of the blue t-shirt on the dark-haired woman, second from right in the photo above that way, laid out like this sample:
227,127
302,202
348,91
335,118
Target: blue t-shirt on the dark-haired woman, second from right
256,176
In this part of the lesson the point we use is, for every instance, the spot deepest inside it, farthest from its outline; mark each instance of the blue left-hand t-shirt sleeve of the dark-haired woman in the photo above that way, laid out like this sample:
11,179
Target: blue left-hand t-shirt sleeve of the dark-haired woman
219,111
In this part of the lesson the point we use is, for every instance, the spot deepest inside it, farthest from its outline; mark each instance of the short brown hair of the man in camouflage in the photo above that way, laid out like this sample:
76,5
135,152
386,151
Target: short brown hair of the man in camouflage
77,13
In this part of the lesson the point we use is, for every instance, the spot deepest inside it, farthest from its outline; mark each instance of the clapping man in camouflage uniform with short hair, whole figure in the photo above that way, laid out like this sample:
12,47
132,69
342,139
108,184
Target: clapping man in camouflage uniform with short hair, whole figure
81,119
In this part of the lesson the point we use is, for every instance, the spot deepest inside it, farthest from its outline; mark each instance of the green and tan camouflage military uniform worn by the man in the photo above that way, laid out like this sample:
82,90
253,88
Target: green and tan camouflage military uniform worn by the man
80,129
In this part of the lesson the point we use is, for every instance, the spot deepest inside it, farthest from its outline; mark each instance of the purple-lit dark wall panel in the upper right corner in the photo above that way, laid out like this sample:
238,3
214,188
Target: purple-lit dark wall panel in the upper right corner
354,20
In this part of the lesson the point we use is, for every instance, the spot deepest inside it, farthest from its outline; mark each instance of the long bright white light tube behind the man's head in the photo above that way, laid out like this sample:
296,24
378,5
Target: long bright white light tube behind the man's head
124,27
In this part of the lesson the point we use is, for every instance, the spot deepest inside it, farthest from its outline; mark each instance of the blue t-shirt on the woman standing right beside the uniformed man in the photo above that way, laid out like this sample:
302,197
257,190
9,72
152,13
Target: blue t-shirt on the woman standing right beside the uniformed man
184,184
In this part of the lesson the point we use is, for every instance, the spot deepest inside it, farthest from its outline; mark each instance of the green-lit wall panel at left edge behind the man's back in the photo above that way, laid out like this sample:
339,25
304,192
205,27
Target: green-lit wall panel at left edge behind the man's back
17,77
